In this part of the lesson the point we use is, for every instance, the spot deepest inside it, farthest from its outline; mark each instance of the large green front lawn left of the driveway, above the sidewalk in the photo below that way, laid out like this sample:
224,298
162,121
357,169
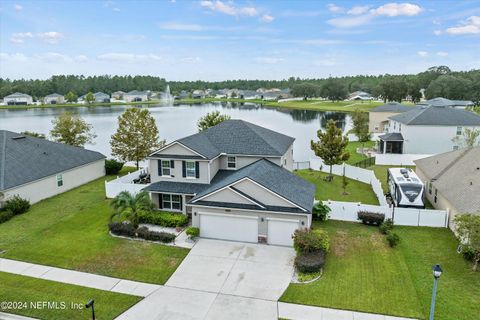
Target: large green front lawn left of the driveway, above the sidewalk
70,231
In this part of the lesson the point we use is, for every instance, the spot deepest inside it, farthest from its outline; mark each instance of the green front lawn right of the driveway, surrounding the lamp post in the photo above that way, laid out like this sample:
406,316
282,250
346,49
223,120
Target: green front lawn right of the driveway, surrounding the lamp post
363,273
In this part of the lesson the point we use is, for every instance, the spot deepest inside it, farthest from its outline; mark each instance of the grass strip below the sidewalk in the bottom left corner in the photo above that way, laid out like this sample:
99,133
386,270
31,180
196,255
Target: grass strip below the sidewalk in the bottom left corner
16,288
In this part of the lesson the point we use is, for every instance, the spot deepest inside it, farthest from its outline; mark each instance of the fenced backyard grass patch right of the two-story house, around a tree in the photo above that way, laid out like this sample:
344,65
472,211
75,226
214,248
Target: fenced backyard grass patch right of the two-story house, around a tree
357,191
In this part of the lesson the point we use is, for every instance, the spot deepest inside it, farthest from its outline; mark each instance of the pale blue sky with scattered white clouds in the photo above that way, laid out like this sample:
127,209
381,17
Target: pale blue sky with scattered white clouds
219,40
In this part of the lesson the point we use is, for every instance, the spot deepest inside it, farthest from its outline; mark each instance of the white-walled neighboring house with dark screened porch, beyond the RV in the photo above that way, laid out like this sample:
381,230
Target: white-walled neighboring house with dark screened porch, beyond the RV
427,130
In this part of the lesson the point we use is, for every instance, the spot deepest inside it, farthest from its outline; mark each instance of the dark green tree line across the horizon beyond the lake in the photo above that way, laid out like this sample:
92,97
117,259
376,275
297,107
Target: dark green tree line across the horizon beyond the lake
438,81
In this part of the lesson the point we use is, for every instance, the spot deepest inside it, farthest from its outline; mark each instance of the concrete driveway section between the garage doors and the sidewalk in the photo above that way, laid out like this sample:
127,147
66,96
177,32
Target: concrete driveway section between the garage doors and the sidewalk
238,269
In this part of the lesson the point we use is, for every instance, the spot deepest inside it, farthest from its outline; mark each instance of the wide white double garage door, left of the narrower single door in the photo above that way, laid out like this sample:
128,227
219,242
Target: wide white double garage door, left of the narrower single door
229,227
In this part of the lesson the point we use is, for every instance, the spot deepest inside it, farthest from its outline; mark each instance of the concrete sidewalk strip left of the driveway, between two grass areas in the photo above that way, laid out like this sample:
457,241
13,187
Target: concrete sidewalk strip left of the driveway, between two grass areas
77,278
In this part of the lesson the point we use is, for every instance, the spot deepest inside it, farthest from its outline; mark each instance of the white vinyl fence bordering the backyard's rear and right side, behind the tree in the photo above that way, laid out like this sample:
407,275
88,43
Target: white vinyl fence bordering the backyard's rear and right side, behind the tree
352,172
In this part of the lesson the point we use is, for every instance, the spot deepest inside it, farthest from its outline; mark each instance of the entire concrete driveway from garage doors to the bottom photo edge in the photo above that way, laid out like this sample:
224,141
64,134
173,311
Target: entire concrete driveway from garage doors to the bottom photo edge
221,280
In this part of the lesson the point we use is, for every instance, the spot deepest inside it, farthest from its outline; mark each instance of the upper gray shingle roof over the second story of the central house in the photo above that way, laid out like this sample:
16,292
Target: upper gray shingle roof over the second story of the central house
240,138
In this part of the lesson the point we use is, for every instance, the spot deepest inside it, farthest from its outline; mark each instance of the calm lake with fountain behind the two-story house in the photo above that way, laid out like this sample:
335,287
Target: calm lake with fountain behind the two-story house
178,121
